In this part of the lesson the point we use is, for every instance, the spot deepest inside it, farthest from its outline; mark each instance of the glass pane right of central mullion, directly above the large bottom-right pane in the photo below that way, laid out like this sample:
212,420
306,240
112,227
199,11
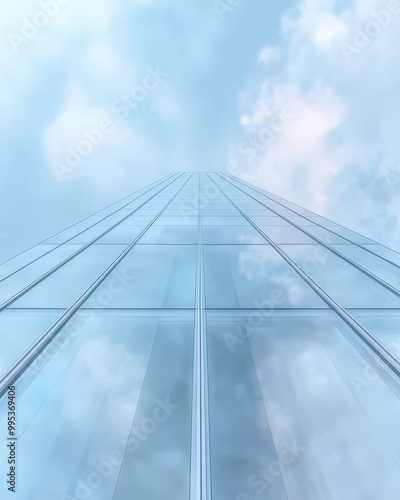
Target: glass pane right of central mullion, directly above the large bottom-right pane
254,277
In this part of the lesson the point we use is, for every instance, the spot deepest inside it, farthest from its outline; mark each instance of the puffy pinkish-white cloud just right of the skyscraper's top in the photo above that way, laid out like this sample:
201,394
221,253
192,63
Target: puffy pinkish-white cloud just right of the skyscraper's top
302,143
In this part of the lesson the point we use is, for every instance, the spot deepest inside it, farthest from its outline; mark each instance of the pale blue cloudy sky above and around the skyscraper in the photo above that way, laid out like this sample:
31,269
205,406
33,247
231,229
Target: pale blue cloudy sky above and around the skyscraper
100,98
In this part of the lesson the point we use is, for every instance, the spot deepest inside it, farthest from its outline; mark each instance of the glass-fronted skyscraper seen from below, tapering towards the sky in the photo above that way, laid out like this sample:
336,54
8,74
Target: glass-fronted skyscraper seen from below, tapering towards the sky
202,338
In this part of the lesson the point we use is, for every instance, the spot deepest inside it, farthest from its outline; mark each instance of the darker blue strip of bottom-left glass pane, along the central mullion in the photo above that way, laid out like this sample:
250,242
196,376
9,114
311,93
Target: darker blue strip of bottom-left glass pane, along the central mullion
165,455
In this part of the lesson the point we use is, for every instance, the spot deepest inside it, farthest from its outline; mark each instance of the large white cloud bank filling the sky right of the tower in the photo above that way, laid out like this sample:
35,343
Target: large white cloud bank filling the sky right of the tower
347,115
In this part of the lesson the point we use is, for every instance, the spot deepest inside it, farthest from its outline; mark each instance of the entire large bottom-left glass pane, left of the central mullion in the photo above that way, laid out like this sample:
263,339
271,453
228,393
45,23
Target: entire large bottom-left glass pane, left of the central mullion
99,410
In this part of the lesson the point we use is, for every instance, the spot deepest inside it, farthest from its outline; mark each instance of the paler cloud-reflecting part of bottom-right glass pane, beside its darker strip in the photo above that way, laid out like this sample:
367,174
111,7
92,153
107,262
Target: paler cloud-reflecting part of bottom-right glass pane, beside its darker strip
343,438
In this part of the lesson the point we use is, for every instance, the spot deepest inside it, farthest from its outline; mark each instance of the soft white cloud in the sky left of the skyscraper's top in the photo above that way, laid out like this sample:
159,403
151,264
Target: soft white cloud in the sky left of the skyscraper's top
109,154
